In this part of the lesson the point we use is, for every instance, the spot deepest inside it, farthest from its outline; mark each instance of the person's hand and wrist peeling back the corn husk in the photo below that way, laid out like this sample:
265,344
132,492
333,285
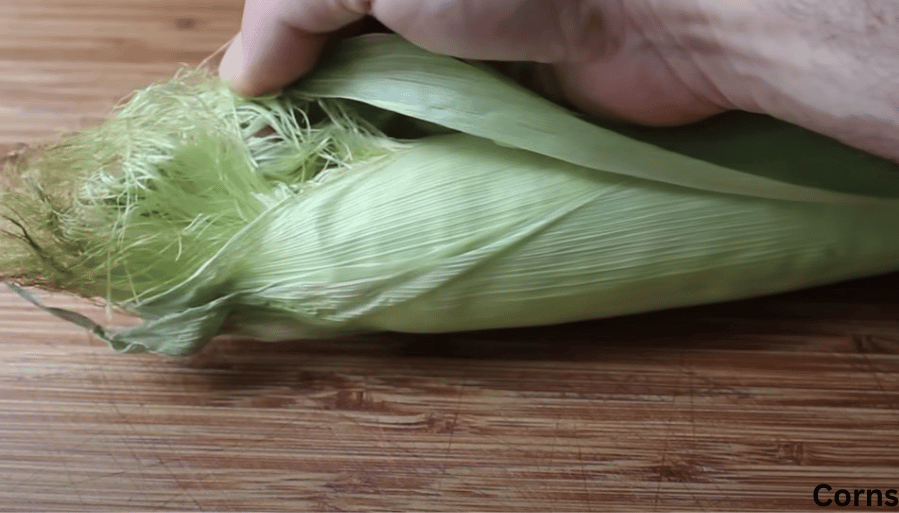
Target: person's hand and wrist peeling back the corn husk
829,65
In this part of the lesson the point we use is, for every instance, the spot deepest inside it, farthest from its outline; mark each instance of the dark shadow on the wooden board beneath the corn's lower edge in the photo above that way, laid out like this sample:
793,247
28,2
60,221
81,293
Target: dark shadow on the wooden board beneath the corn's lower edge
859,317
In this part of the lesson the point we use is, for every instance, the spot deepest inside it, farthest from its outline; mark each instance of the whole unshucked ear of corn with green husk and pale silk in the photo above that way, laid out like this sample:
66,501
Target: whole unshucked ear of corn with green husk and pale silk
395,189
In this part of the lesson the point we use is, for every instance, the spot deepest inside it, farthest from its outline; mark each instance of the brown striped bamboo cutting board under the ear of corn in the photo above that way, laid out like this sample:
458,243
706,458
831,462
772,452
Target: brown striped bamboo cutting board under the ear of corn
744,406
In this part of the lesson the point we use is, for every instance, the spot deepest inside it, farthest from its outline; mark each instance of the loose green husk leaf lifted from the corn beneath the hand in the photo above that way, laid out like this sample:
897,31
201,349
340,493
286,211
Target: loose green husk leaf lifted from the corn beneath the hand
385,71
